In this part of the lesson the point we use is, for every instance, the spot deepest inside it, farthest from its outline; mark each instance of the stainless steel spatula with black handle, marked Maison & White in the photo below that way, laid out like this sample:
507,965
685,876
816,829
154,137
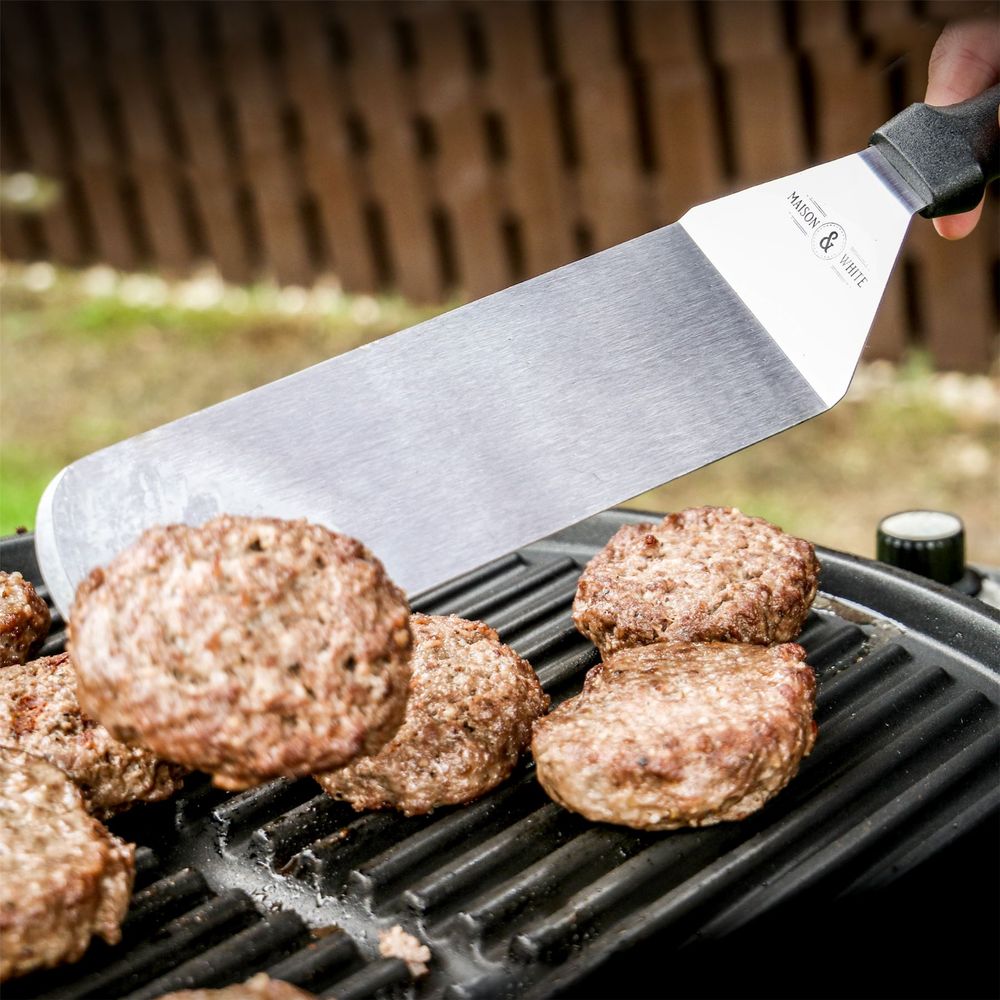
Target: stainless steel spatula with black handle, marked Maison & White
486,428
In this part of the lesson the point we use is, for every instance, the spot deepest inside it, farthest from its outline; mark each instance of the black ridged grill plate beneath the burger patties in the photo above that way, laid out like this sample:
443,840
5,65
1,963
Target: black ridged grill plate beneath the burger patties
519,898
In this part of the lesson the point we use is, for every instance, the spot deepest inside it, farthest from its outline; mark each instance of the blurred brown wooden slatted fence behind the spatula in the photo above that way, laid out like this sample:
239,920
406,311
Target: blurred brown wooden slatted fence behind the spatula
456,145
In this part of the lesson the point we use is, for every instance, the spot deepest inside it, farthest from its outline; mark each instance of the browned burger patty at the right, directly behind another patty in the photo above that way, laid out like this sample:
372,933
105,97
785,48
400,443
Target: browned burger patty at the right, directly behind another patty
705,574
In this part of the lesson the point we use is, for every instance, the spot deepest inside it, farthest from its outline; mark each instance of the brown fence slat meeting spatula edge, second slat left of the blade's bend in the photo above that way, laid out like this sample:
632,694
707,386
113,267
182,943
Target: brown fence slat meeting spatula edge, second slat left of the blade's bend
524,96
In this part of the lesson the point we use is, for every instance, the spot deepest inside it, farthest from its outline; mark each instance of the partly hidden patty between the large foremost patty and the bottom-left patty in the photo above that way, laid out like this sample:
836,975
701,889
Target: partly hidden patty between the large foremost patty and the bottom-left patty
39,714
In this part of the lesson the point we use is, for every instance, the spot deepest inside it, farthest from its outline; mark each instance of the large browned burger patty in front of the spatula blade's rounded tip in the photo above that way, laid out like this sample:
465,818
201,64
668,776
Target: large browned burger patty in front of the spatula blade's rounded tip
249,648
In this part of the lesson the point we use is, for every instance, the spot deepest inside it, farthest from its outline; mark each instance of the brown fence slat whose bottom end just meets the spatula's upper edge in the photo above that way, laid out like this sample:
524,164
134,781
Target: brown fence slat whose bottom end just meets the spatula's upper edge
382,95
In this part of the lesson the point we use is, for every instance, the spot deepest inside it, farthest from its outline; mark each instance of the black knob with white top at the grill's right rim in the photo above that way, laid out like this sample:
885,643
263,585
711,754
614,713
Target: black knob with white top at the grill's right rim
928,542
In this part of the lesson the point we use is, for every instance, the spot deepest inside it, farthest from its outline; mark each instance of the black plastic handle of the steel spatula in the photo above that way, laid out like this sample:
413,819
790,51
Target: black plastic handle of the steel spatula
947,155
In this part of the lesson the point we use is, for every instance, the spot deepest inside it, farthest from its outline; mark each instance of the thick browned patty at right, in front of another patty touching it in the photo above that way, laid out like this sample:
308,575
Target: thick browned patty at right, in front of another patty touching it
679,734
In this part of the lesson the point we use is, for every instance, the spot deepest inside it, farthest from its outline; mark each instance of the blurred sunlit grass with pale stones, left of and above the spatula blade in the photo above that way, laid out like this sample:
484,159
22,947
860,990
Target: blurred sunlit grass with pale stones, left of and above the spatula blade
79,371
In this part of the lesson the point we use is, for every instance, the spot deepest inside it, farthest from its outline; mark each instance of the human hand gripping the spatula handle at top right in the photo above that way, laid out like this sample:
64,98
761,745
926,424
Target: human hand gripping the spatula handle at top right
964,62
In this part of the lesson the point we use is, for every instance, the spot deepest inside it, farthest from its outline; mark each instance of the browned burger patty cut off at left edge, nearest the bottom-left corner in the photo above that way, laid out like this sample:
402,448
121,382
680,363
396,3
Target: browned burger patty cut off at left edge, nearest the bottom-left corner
64,877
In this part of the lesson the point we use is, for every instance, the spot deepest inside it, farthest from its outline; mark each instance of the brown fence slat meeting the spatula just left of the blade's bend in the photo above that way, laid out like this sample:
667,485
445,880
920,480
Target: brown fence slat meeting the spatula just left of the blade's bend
611,185
